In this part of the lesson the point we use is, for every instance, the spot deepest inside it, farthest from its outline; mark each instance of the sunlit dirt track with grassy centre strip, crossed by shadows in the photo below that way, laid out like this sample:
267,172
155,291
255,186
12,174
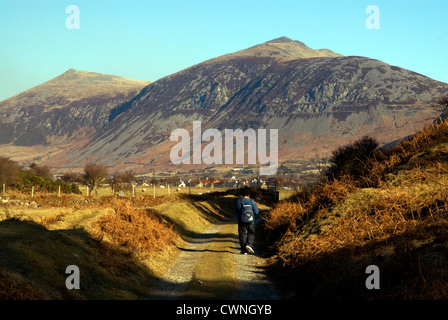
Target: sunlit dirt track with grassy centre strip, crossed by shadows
247,280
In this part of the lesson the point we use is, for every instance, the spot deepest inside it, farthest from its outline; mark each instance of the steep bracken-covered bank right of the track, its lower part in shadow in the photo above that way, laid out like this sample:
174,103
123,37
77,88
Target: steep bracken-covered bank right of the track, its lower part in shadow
395,216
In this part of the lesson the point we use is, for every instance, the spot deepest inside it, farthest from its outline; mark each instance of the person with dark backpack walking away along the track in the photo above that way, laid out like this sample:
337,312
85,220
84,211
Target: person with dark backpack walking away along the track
246,210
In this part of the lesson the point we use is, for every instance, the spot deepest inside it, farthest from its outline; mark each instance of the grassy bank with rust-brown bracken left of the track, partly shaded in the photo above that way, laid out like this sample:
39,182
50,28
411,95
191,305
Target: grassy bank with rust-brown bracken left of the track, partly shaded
122,245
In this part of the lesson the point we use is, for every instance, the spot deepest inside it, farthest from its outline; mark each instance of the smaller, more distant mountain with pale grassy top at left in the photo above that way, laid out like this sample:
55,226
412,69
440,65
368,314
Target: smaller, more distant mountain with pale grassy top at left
60,107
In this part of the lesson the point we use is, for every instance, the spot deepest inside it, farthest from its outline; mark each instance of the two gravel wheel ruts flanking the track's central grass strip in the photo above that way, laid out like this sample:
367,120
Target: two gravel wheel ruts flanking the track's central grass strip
251,276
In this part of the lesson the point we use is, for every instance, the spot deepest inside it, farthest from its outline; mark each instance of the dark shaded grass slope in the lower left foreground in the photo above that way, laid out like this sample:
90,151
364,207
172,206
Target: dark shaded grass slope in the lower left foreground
38,257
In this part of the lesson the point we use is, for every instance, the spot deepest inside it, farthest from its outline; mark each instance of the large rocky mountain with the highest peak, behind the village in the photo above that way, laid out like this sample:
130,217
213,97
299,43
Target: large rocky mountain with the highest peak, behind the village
317,99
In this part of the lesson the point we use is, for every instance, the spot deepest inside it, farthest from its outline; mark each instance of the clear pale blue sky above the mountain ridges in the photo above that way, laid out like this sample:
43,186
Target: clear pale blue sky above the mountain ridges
147,40
